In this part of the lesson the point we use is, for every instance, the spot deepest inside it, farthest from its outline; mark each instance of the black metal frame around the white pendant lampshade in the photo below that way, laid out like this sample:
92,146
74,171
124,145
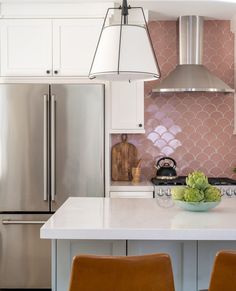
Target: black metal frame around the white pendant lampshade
124,16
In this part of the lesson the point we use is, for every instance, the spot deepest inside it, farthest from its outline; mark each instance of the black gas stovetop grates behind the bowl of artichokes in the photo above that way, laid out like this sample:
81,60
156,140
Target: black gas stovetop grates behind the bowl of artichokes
181,180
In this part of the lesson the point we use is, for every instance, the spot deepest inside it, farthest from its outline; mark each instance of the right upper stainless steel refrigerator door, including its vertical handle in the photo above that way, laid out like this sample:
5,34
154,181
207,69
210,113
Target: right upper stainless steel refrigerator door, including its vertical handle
77,136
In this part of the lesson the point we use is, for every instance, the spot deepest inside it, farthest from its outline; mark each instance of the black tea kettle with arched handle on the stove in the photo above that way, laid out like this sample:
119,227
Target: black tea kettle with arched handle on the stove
166,168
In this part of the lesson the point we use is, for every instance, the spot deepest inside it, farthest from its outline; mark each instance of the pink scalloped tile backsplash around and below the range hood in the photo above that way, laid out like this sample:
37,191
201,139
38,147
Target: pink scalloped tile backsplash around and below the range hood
196,129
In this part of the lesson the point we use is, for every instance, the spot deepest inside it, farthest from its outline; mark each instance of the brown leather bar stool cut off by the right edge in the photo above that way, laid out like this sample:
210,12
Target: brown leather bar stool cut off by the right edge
223,277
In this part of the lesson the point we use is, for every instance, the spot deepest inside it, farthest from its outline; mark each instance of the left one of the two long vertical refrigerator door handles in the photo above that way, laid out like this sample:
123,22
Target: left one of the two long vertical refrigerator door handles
45,147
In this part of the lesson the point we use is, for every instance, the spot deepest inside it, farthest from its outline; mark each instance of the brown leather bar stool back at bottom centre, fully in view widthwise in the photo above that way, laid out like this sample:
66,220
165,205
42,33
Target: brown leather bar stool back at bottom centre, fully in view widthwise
132,273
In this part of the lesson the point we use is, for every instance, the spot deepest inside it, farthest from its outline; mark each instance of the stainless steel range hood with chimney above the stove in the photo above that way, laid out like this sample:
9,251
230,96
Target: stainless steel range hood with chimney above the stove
190,75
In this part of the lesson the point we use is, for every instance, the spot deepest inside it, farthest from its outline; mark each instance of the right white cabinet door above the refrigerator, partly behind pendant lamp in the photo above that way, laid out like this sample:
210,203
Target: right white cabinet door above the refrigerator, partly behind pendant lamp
74,44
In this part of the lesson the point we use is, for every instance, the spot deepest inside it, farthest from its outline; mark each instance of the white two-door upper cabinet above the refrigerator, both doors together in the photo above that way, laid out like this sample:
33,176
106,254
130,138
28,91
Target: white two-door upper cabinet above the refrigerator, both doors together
48,47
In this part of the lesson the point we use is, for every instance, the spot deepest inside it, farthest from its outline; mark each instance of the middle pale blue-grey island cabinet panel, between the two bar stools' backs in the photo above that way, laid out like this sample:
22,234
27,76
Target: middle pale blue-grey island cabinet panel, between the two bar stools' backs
183,257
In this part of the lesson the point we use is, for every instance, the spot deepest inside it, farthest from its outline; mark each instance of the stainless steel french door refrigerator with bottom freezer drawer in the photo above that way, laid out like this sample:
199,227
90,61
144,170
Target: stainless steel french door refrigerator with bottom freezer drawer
51,147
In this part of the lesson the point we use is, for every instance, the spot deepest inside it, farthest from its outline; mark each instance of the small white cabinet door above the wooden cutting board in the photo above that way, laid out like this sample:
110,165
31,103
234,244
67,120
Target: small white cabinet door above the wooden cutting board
127,107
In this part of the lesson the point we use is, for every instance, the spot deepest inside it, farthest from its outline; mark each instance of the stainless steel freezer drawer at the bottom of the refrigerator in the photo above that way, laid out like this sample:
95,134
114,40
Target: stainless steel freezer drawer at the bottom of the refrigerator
24,258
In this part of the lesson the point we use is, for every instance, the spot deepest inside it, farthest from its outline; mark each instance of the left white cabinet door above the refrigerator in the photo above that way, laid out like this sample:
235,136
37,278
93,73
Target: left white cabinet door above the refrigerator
26,47
